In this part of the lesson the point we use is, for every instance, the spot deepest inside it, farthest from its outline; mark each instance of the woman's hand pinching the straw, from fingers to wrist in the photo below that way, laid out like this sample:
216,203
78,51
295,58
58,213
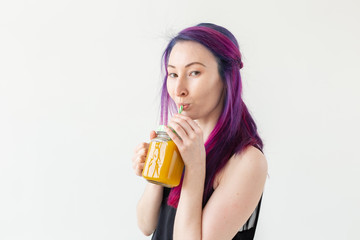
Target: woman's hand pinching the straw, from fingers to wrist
191,143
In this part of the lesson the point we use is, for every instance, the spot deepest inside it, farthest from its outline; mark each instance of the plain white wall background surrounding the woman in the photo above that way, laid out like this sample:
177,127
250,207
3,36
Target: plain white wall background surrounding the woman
79,89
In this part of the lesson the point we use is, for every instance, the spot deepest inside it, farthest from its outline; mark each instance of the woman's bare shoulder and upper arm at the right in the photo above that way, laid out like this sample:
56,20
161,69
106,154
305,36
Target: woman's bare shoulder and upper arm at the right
238,190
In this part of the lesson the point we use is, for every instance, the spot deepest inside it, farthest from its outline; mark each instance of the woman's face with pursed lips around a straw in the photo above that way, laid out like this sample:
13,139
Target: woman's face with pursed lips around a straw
193,81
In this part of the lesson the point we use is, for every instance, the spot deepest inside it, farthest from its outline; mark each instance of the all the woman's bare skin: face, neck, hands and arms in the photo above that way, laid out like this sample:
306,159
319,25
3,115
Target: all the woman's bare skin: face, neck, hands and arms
193,79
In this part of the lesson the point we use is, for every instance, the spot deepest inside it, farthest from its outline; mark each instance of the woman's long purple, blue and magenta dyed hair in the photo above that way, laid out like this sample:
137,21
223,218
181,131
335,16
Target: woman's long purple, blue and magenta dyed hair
235,128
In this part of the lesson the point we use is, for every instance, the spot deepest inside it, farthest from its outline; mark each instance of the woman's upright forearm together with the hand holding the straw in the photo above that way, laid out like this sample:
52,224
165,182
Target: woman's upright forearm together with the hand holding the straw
189,140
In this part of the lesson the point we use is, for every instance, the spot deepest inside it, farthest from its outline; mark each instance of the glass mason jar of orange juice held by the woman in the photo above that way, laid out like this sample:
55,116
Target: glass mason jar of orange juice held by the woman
163,163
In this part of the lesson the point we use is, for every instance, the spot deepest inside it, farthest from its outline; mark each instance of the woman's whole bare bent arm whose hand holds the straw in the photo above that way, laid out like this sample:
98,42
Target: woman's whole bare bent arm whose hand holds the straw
232,202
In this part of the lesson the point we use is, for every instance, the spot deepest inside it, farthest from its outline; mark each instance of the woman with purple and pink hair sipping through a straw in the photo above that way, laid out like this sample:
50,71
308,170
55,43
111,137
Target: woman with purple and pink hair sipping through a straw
220,194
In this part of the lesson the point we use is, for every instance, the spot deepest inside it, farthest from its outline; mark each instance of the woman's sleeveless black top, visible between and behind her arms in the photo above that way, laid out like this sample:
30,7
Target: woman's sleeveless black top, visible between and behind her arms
164,229
